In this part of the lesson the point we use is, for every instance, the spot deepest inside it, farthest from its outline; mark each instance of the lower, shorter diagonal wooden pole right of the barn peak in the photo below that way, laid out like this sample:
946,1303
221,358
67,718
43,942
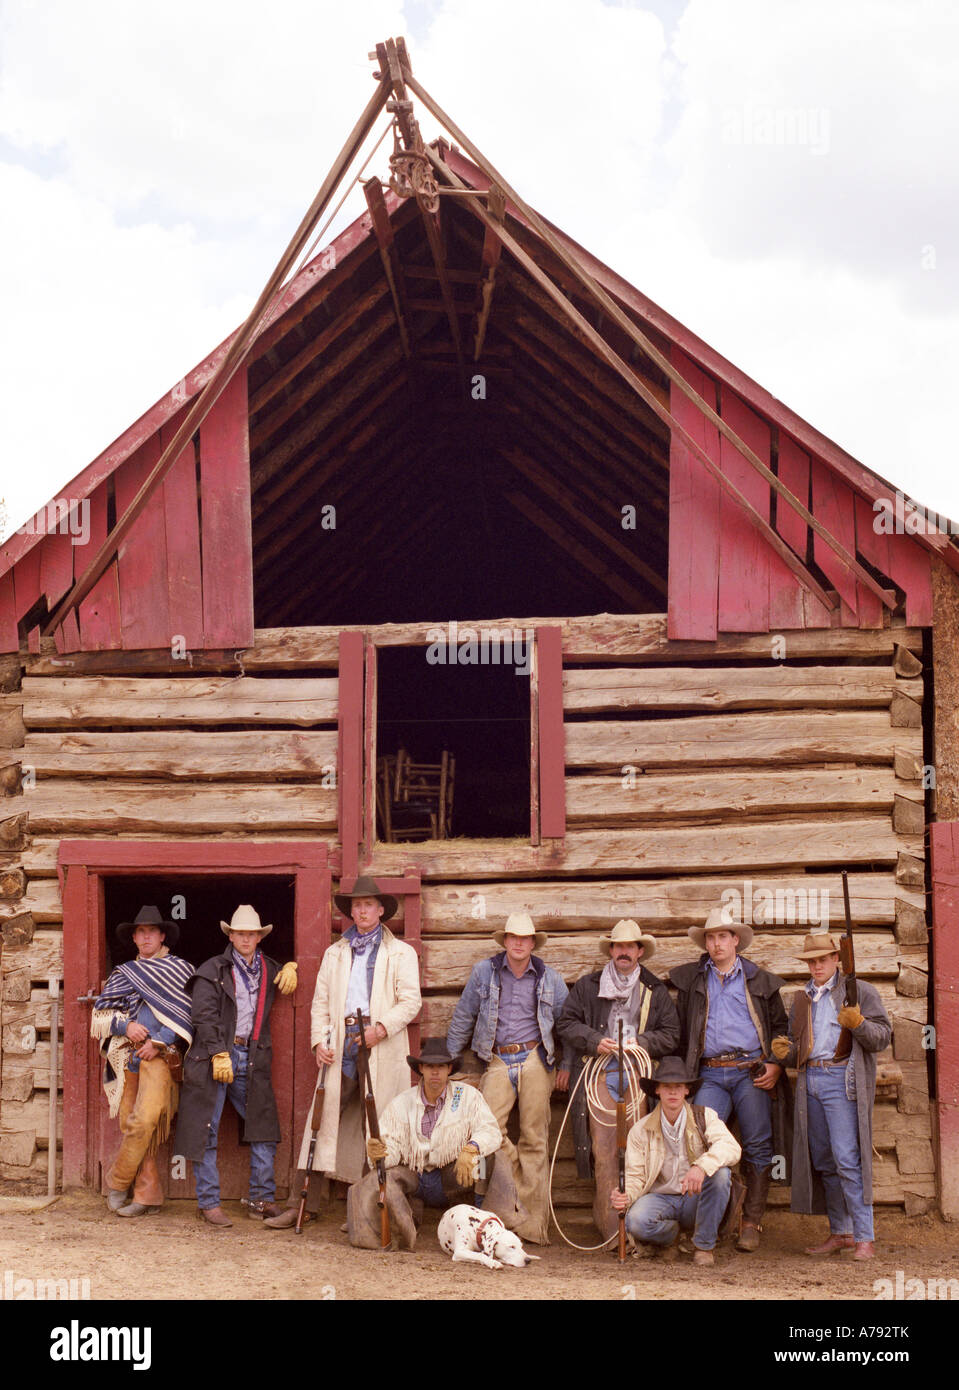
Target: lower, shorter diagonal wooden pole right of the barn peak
640,387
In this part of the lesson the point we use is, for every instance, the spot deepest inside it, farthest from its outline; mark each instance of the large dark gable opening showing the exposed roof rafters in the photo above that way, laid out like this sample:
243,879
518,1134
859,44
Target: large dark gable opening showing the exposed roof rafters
416,457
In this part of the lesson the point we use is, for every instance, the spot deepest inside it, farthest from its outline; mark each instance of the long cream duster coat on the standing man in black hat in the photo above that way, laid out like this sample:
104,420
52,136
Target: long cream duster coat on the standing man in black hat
394,1001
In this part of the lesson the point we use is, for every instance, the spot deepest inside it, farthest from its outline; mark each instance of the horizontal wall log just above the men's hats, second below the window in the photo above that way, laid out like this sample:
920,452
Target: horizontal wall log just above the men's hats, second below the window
662,907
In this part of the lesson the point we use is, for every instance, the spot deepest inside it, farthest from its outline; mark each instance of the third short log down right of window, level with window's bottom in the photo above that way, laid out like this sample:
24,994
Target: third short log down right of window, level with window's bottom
597,801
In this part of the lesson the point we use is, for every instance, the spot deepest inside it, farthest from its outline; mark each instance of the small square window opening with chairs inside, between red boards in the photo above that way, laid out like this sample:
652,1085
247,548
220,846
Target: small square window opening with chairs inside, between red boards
454,743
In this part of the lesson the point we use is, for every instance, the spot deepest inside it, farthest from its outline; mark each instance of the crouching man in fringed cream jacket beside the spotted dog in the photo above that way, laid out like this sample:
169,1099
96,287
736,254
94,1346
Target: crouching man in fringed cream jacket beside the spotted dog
432,1140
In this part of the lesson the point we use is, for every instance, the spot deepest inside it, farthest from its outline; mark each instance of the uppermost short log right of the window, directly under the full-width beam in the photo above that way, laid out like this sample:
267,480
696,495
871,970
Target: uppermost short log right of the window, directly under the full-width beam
735,687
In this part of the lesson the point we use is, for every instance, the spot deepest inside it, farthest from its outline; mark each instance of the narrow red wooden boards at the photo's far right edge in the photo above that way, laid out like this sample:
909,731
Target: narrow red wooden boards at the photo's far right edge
944,847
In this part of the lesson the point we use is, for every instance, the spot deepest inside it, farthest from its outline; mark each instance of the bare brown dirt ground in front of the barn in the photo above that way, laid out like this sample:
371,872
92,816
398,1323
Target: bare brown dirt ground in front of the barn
79,1239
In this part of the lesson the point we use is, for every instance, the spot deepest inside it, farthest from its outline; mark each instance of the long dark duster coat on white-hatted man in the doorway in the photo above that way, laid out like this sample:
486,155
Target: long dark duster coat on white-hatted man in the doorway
215,1028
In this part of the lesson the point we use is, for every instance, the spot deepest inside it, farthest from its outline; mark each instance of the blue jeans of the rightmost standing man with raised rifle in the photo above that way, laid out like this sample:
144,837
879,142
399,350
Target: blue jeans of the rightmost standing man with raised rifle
835,1150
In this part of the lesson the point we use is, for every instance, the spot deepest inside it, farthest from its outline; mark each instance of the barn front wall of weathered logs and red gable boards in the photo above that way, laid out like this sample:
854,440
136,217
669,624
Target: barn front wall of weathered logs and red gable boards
725,732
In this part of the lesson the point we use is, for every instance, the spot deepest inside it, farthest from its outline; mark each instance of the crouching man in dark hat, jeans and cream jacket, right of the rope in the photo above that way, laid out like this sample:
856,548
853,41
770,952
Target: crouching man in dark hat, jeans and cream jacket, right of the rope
678,1167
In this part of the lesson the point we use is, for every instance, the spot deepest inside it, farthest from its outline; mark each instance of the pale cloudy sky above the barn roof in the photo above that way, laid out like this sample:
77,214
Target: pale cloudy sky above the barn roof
779,174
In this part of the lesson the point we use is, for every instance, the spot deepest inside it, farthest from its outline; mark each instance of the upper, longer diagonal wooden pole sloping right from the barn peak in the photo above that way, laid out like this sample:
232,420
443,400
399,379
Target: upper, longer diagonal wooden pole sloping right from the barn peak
623,322
